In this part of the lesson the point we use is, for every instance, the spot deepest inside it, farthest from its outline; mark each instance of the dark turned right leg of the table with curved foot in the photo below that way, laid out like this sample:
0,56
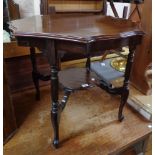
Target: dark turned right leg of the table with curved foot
125,89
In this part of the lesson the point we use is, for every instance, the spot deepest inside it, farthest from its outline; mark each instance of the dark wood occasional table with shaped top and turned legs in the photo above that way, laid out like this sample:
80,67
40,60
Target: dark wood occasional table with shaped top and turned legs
89,35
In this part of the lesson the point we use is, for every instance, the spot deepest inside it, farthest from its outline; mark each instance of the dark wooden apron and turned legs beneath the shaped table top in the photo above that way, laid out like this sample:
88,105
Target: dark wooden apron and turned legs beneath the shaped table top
50,47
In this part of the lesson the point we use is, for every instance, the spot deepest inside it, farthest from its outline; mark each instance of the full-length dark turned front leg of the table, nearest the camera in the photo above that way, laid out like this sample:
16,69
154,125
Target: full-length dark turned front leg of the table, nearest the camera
52,57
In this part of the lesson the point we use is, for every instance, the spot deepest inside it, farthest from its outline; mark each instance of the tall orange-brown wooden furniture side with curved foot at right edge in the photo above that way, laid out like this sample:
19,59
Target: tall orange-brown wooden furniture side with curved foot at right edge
143,55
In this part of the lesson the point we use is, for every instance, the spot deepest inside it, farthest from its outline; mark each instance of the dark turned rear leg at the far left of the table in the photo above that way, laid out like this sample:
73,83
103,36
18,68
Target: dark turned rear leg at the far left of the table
35,72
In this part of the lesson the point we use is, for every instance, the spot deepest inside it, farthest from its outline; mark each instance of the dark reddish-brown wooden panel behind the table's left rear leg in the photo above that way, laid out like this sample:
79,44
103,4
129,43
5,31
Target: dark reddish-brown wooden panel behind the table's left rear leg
19,72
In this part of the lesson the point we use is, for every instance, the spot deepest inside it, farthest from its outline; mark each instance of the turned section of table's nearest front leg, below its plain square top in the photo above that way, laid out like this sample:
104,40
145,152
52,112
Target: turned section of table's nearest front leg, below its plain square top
55,105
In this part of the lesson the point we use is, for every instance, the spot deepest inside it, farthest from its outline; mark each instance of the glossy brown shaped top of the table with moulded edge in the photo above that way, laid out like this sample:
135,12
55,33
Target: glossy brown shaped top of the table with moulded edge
75,27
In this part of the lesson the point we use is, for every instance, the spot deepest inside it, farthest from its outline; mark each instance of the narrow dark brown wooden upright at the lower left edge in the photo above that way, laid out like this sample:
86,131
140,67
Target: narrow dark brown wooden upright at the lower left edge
9,119
